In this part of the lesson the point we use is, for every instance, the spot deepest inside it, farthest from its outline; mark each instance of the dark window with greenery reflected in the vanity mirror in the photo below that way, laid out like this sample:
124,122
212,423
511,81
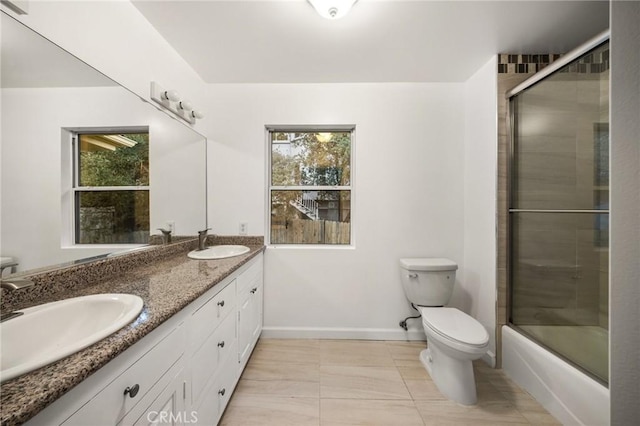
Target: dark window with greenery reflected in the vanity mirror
111,188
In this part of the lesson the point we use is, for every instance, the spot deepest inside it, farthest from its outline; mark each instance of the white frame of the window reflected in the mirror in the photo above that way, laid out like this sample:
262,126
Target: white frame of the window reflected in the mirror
74,188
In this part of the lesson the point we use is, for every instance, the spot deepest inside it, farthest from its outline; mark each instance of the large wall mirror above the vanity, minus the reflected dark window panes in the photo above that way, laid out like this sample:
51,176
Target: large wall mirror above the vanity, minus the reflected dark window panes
48,97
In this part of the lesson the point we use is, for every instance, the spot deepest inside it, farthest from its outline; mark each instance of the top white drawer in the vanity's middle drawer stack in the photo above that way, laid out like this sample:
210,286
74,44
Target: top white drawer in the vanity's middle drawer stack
210,315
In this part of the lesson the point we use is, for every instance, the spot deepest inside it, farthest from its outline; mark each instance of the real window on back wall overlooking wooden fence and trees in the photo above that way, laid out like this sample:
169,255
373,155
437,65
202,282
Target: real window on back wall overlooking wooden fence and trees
310,188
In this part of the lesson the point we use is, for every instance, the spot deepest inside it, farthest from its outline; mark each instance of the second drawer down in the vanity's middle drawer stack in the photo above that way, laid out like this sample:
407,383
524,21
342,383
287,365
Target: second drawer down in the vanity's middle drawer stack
218,347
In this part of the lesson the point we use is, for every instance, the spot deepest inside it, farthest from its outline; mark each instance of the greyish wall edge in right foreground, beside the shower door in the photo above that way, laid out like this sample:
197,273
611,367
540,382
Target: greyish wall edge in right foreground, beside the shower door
624,284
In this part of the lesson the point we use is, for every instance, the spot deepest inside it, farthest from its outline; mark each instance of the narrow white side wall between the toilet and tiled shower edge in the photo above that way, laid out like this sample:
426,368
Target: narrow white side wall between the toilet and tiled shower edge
480,192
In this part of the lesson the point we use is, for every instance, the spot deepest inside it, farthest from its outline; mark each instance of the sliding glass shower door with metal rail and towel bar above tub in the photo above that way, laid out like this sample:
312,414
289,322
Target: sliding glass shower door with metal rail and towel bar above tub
559,209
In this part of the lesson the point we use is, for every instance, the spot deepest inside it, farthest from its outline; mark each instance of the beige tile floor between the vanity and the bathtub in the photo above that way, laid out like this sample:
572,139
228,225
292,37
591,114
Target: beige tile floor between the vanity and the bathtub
353,382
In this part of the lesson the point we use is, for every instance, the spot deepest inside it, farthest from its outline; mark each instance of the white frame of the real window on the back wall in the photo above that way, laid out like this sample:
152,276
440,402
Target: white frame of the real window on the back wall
269,130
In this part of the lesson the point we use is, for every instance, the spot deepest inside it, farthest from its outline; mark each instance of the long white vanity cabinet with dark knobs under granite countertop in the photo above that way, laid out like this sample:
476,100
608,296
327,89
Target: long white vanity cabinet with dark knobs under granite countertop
183,372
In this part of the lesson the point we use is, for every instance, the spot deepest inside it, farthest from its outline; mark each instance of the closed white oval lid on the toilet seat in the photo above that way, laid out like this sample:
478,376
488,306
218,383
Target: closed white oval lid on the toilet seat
455,325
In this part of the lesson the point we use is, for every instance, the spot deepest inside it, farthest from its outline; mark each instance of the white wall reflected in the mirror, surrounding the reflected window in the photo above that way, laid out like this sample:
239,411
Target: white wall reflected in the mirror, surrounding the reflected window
31,177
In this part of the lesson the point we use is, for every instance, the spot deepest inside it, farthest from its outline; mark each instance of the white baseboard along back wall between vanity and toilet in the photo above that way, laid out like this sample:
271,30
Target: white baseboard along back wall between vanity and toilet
341,333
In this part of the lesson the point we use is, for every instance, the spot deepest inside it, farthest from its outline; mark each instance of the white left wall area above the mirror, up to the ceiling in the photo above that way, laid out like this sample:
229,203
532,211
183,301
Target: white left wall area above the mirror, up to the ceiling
115,38
